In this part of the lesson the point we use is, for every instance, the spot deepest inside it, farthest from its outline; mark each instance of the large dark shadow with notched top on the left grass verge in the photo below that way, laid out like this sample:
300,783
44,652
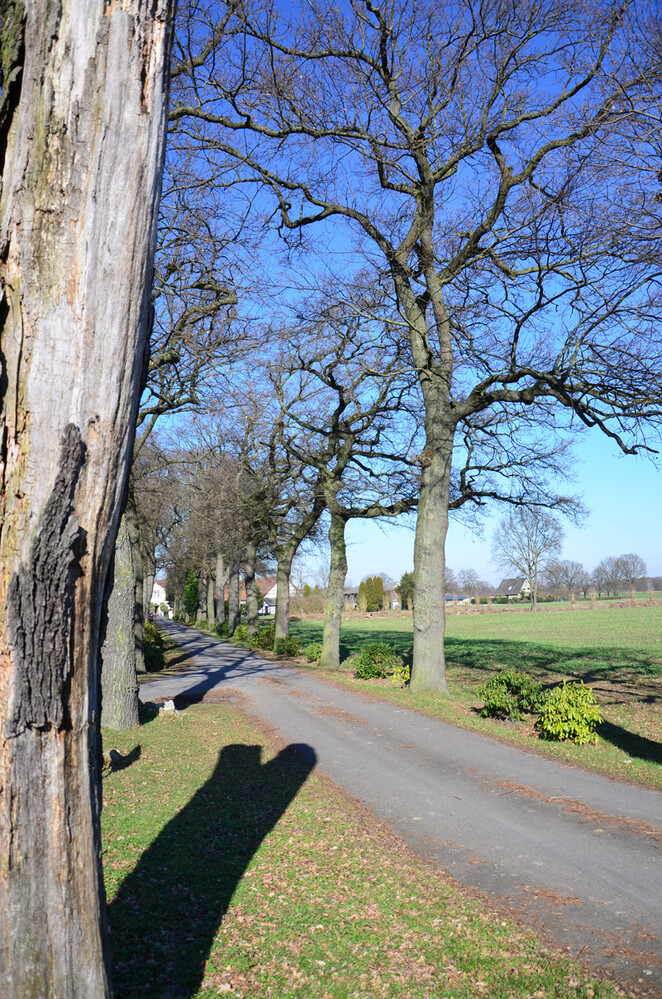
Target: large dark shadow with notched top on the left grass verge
167,911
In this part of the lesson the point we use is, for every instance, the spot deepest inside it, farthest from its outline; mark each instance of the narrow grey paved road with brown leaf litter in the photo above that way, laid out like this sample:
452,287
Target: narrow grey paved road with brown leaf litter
574,855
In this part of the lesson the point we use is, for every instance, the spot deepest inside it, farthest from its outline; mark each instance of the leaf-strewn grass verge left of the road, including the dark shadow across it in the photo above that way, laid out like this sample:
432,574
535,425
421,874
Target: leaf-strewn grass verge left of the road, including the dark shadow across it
231,869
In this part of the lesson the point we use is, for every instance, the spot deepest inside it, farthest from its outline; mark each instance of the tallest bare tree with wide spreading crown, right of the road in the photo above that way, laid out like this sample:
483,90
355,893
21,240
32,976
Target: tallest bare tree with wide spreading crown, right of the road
495,162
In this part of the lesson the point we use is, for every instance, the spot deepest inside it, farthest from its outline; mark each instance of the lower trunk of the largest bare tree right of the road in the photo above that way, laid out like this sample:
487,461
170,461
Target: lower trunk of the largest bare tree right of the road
429,664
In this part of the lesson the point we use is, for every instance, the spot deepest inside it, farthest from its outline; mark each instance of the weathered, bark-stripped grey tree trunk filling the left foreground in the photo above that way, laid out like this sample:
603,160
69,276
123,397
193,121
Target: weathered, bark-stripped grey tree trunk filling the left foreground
82,115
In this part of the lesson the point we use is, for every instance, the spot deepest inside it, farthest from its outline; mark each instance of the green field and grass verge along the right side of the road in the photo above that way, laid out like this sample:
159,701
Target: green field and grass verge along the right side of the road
615,650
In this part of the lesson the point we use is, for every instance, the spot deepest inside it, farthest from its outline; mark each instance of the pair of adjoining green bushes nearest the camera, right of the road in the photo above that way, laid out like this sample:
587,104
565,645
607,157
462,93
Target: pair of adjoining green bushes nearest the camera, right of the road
569,711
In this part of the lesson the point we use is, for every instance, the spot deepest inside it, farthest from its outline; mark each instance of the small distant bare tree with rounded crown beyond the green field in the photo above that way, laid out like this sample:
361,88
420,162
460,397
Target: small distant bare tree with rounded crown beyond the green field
523,541
